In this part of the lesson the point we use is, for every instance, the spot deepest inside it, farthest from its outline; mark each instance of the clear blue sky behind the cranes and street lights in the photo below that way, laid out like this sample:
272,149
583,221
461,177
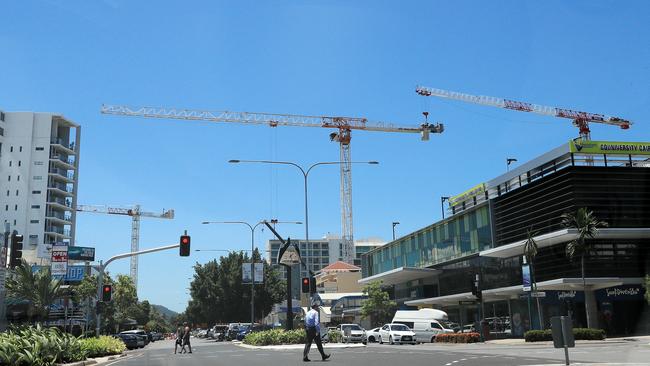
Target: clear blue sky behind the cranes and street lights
361,58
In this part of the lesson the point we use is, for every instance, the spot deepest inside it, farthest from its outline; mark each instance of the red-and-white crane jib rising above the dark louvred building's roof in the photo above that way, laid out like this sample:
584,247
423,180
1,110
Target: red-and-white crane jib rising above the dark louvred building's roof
580,119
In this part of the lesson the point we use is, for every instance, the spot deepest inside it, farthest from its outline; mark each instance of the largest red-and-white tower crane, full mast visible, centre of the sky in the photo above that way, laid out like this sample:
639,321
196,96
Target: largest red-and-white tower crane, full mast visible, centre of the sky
344,125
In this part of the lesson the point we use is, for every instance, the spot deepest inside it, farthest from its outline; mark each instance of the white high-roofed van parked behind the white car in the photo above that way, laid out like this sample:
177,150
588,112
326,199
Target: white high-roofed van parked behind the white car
426,323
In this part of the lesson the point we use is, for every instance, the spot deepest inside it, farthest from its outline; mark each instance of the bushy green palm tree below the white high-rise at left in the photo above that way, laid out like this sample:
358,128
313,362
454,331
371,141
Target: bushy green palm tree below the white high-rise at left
39,288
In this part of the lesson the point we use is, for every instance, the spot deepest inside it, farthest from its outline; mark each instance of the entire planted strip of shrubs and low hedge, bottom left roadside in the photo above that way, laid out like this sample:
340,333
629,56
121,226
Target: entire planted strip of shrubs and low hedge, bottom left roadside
39,346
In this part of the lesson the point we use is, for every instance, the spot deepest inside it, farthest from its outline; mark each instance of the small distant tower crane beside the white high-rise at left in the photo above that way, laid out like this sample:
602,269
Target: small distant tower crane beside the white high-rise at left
135,214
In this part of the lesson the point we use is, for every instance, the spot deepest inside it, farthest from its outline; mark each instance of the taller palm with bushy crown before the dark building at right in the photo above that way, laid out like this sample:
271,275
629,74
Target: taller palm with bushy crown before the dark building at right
587,225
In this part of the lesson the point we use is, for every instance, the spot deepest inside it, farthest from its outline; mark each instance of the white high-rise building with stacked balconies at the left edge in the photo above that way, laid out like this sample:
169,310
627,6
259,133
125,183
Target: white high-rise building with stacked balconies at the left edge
39,164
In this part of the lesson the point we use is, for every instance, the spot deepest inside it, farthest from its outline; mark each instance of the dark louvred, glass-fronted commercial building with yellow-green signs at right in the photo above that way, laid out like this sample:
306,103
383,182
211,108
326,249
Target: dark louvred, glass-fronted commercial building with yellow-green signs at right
488,226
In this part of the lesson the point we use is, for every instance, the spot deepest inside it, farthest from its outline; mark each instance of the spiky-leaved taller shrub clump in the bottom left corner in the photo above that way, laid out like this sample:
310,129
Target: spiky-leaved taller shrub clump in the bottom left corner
39,346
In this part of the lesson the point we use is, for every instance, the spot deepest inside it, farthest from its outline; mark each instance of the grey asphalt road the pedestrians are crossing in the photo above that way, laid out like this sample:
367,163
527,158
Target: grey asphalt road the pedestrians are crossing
205,352
